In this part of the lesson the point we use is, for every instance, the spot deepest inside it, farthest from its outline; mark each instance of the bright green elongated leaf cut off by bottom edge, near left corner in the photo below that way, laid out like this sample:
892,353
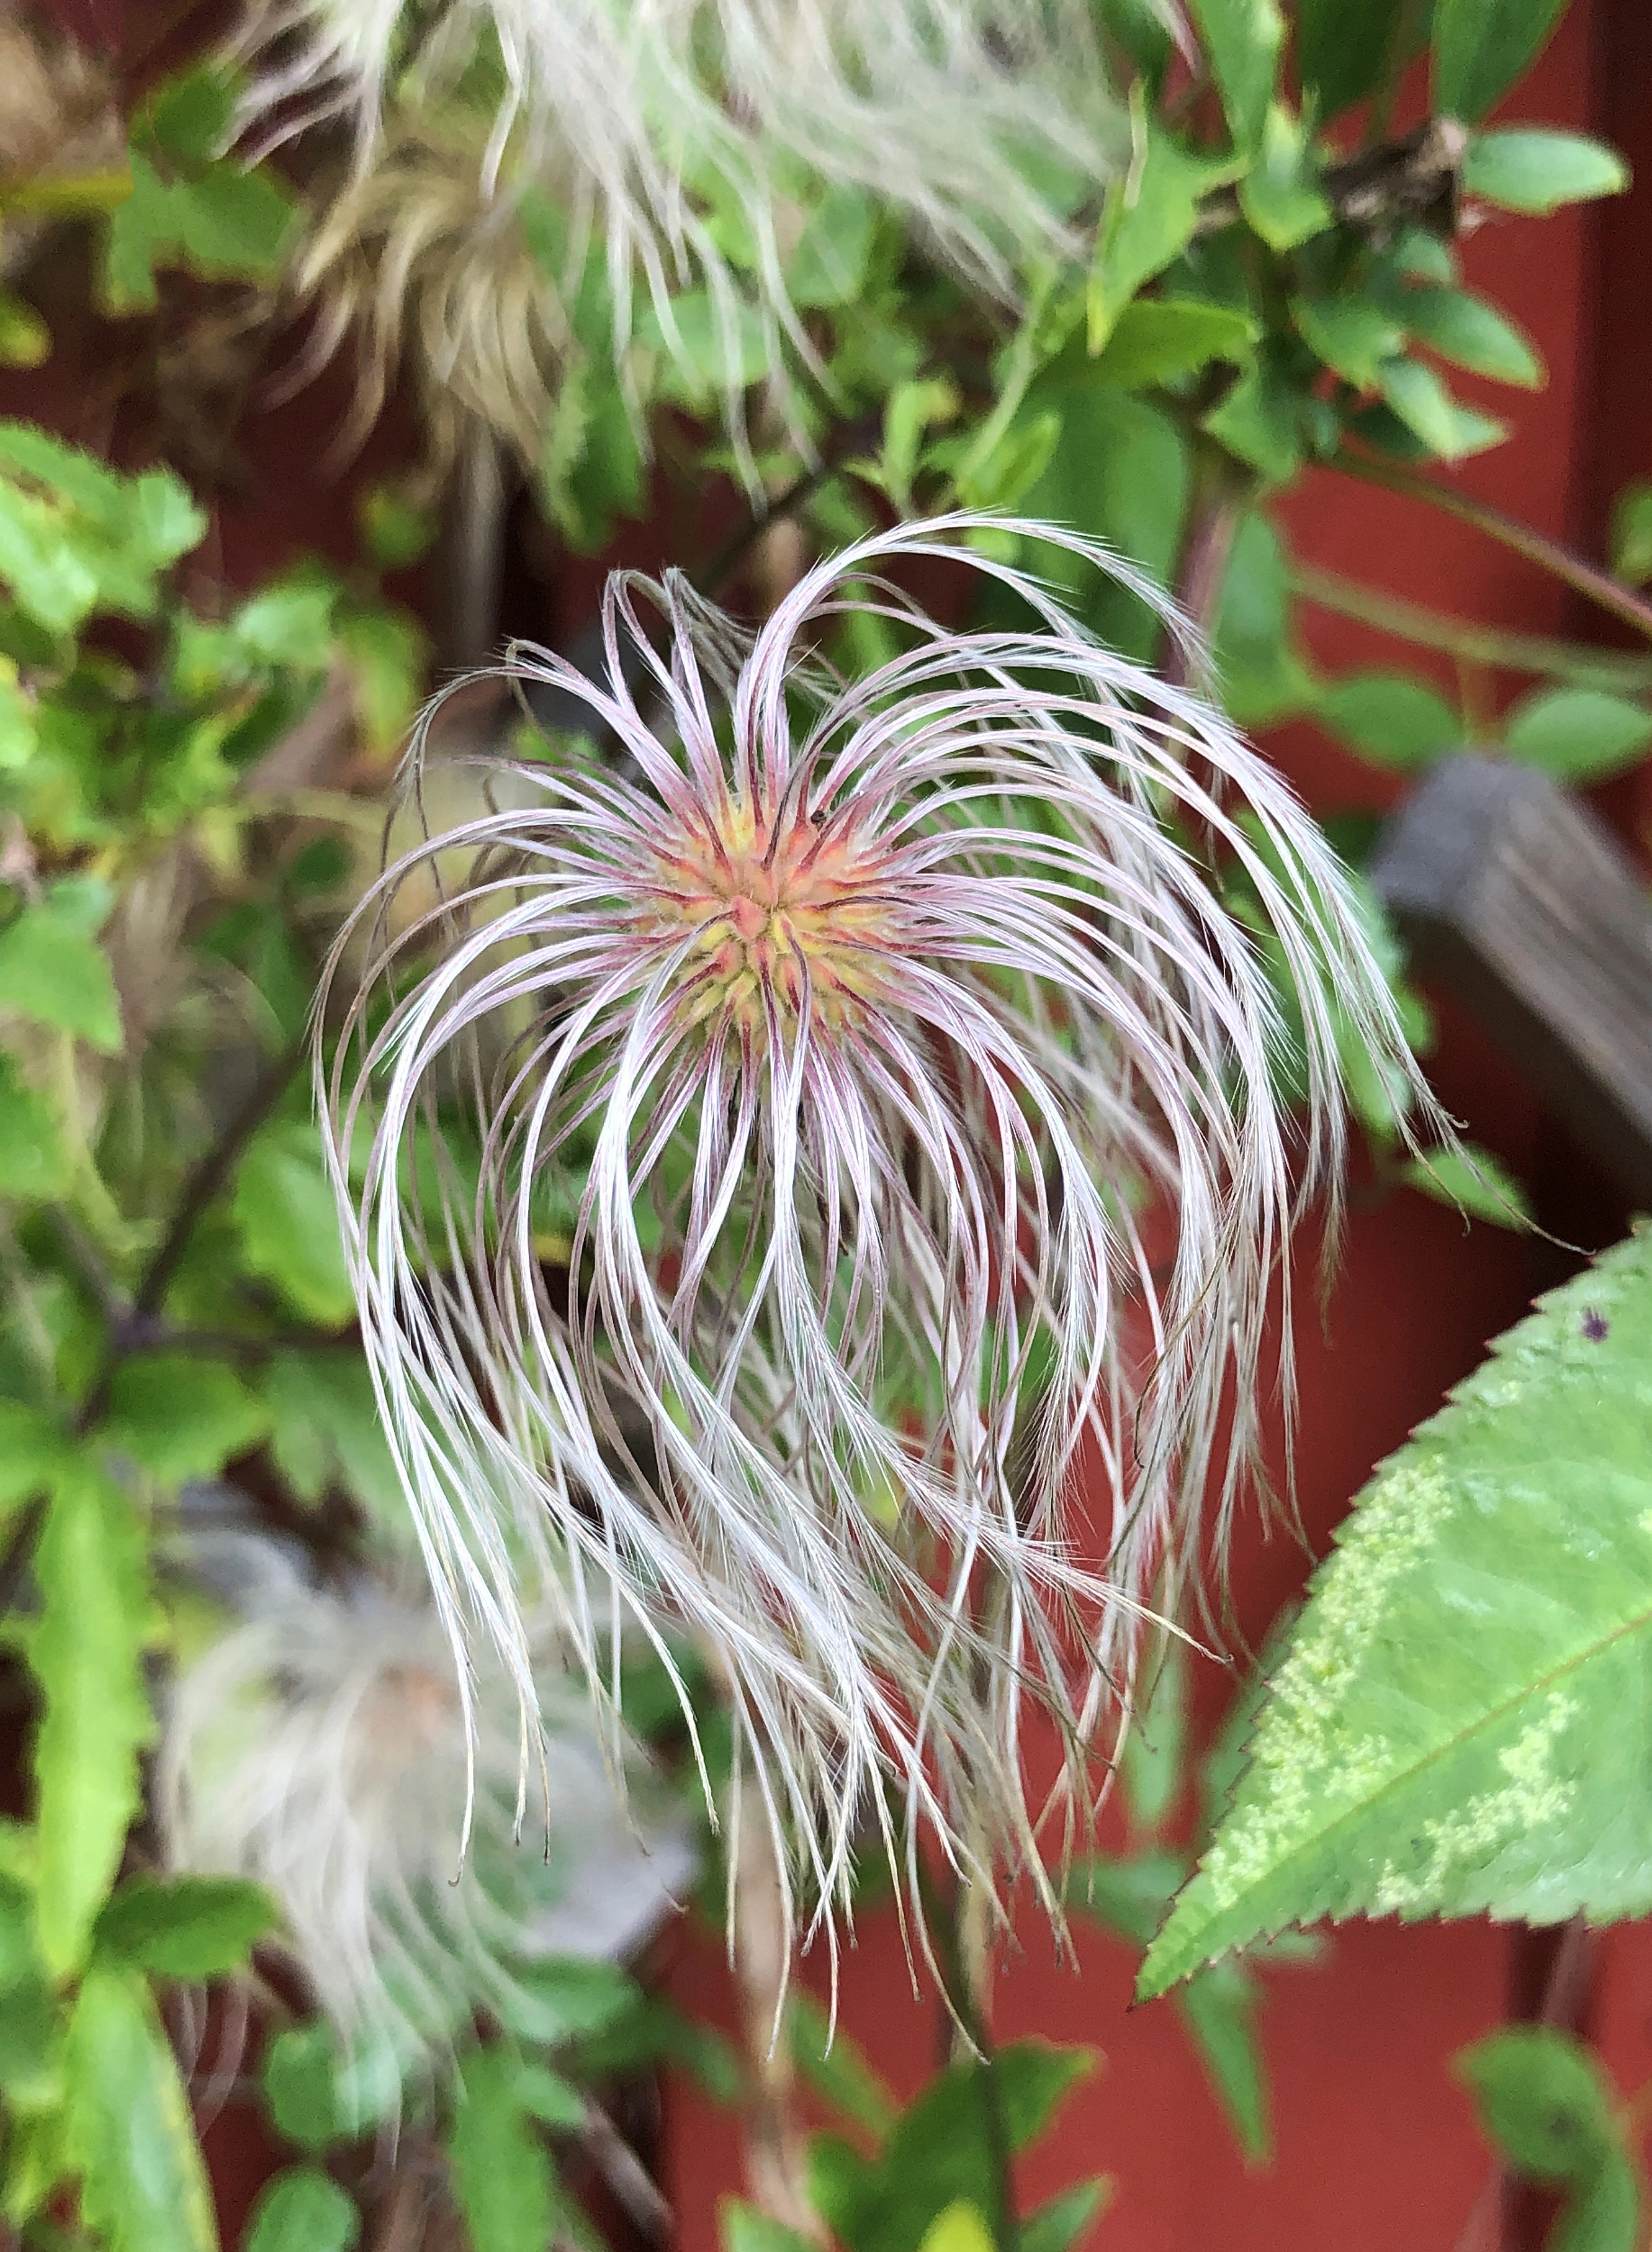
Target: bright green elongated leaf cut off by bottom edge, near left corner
129,2129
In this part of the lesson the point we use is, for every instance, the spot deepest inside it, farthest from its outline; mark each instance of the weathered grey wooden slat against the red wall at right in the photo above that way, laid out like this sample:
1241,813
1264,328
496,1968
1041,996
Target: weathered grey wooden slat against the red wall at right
1529,913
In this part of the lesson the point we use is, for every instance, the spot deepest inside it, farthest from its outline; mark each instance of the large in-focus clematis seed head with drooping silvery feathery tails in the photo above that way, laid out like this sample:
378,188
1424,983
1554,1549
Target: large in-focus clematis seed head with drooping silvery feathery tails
904,1091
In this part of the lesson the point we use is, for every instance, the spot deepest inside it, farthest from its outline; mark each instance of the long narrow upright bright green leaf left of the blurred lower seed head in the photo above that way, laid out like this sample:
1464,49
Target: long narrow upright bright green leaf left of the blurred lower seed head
87,1656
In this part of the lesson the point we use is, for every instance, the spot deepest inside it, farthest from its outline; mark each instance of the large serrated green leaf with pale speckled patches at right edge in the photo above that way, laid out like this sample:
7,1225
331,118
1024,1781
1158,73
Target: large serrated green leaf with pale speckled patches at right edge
1446,1733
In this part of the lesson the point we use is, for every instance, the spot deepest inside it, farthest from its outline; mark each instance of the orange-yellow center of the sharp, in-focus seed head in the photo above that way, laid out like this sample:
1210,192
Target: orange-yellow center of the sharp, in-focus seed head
802,915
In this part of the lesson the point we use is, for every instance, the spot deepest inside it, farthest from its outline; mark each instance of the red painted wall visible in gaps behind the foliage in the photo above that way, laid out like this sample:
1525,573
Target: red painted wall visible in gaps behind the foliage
1376,2143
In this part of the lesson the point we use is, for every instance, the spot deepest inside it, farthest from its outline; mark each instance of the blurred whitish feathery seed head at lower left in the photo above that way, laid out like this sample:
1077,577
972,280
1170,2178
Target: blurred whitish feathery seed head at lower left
321,1749
